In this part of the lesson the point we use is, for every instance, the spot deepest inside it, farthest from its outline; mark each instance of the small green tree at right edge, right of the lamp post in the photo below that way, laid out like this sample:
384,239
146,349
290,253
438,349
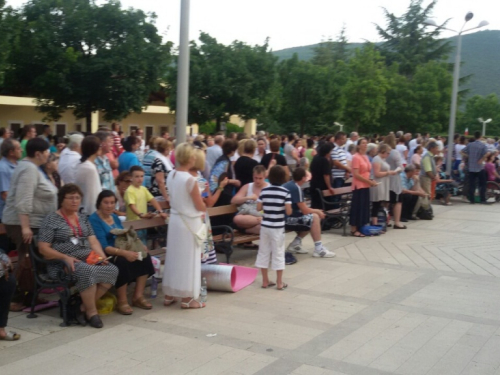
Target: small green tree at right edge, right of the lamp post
485,107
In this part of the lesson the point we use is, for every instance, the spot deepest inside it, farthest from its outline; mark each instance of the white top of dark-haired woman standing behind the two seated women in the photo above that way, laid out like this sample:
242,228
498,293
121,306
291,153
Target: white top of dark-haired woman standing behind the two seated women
87,178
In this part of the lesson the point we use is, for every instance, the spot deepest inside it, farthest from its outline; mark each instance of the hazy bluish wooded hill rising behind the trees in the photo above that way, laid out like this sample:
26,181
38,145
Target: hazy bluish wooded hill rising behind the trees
480,58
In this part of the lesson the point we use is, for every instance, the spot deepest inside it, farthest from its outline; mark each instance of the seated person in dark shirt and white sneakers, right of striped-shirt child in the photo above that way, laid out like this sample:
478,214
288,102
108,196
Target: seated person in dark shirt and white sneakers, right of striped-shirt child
304,220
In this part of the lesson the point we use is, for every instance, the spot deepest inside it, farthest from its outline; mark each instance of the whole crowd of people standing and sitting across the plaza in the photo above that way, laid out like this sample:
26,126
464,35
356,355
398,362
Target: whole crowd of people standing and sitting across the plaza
70,197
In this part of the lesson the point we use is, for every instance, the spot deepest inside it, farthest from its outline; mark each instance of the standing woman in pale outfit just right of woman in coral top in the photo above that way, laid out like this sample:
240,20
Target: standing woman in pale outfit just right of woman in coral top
381,172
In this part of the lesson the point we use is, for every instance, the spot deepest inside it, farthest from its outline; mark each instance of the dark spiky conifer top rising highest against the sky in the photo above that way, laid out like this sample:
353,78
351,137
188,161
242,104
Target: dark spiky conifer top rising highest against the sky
407,42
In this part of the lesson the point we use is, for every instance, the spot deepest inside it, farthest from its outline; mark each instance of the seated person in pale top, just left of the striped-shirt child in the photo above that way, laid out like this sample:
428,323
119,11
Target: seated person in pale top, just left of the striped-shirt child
248,218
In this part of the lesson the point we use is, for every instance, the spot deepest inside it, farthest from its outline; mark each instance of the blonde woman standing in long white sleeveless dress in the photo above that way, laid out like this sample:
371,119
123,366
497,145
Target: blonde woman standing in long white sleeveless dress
182,276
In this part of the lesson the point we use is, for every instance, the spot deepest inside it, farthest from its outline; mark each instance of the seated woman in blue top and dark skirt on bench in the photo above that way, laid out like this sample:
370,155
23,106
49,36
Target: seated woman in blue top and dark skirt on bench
130,269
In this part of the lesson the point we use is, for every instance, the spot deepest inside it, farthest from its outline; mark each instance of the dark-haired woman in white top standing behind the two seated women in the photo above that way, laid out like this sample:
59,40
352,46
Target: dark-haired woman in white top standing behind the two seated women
86,174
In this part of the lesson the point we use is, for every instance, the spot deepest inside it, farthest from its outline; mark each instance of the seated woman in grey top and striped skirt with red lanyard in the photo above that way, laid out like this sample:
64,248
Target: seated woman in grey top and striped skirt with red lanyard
68,236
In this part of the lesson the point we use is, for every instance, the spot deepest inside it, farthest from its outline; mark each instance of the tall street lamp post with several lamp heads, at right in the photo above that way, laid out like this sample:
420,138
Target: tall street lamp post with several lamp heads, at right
456,75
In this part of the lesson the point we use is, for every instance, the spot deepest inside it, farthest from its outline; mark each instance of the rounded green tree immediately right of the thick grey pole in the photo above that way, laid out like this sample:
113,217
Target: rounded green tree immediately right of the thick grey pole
224,80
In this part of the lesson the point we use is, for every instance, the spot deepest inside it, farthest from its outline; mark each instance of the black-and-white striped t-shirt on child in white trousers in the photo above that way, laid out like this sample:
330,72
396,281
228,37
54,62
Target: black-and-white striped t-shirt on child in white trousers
273,200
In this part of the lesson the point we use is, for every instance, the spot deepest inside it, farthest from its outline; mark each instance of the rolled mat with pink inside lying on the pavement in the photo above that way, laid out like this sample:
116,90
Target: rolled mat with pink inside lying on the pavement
228,277
